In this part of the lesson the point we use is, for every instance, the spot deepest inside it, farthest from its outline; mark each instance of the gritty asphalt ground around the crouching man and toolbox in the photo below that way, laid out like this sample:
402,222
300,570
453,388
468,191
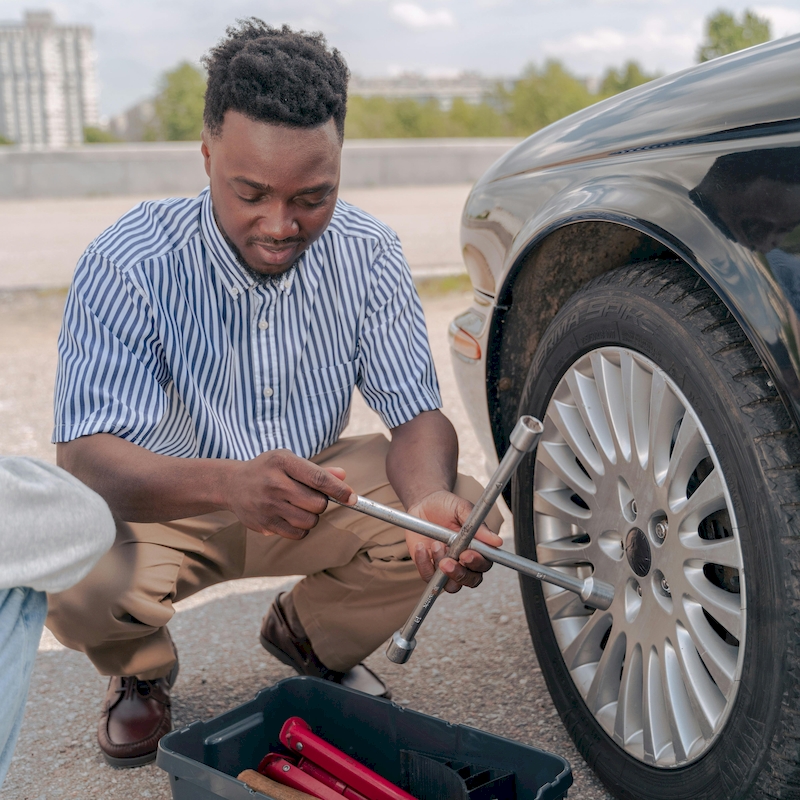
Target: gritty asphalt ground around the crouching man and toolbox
474,663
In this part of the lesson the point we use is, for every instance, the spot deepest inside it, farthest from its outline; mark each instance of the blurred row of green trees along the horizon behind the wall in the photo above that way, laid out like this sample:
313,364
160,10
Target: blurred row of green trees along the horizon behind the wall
541,95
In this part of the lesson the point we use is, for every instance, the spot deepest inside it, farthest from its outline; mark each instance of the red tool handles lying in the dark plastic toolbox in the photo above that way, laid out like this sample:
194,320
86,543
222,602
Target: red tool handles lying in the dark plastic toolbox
322,770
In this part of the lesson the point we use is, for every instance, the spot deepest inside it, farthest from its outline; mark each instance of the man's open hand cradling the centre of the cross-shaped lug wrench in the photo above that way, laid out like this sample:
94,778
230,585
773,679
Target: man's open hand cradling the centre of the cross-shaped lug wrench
449,511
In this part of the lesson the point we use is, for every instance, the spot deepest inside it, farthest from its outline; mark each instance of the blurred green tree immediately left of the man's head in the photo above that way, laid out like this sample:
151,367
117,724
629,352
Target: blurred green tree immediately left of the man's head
179,103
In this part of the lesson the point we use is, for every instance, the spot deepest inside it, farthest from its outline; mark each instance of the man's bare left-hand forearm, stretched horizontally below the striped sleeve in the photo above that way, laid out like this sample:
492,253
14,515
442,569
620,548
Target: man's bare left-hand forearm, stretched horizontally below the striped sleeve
140,486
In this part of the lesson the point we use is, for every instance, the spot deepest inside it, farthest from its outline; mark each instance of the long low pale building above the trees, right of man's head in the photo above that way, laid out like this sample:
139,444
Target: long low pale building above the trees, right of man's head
469,86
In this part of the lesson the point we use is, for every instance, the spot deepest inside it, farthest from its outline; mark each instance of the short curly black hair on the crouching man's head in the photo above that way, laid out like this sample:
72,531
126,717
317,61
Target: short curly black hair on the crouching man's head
275,75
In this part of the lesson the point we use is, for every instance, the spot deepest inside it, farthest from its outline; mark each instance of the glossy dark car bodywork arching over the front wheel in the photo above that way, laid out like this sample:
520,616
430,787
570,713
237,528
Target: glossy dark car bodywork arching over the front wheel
607,163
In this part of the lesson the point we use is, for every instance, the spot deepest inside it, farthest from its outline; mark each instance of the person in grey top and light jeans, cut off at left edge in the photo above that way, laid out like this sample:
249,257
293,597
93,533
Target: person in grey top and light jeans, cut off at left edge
53,530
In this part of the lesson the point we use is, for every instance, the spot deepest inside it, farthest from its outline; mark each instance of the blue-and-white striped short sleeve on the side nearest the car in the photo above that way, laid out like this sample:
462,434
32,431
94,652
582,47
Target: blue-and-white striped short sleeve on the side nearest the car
396,373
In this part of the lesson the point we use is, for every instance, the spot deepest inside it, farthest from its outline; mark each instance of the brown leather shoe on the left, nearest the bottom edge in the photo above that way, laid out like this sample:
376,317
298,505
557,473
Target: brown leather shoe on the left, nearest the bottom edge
136,714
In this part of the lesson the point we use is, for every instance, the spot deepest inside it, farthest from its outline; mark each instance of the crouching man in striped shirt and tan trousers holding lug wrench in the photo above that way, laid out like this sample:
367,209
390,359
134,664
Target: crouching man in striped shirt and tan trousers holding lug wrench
208,356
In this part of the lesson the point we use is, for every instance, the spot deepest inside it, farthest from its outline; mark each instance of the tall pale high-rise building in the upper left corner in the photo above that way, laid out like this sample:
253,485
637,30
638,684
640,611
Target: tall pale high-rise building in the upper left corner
48,85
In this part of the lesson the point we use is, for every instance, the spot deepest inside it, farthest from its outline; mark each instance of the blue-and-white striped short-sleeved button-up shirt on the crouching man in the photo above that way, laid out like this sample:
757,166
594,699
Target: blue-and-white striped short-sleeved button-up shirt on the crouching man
167,342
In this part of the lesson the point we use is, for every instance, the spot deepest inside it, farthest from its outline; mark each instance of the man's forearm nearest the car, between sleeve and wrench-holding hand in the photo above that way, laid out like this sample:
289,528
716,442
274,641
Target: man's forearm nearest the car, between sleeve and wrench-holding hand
423,457
